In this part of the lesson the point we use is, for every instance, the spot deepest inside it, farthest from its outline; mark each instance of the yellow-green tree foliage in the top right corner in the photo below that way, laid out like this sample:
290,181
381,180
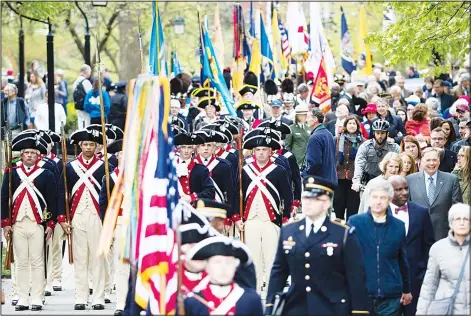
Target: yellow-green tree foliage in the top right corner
424,31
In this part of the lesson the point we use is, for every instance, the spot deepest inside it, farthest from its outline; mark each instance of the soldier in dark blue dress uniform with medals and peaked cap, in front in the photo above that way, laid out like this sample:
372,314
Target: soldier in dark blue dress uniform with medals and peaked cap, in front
323,258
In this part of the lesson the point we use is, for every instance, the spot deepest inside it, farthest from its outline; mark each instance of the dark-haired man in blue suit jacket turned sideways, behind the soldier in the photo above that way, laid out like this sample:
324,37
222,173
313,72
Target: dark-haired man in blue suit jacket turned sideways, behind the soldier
320,153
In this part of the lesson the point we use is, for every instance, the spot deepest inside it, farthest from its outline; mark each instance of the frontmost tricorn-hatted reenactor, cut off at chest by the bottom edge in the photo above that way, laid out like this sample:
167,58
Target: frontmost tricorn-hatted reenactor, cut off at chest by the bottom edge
222,296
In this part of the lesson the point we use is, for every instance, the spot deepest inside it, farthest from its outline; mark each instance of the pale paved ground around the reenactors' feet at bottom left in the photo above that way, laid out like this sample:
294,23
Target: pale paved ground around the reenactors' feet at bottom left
60,303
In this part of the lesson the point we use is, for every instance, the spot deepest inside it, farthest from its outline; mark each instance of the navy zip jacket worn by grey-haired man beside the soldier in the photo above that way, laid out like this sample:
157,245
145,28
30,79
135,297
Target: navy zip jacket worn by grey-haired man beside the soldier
387,277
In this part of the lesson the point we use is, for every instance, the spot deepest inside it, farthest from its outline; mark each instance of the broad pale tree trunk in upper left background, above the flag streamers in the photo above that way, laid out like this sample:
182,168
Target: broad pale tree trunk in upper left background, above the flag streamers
129,55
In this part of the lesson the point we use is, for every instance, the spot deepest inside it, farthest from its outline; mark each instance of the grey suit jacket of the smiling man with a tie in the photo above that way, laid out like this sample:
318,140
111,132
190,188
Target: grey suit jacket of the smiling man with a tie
447,193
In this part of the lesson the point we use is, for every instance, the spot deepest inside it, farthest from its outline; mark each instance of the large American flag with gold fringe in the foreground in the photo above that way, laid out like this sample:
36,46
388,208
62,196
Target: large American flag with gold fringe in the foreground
158,248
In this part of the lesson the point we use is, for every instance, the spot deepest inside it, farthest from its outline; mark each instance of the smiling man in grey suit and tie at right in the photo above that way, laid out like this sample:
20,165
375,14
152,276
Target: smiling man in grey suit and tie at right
436,190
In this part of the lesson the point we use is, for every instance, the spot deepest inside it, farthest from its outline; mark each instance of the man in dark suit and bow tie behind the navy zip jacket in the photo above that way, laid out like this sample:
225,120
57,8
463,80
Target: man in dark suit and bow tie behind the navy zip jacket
419,237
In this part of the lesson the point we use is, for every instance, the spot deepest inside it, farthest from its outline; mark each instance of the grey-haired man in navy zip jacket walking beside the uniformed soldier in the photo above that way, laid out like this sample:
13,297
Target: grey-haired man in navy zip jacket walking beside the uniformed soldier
384,251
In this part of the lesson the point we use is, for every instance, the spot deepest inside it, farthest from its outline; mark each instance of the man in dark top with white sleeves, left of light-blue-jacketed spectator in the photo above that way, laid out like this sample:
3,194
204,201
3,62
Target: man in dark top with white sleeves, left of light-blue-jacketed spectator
81,87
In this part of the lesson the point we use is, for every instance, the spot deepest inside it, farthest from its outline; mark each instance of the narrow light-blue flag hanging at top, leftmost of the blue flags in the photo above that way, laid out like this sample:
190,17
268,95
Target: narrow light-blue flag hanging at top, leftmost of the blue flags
157,51
